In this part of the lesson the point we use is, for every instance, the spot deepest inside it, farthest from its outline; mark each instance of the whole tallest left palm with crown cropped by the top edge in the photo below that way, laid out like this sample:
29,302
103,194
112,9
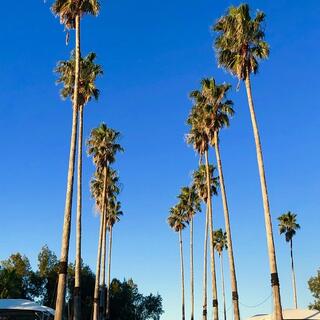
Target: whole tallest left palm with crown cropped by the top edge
70,12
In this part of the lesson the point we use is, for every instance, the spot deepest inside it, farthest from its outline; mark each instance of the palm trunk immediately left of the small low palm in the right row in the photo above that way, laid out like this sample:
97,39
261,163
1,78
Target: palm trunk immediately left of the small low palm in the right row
212,260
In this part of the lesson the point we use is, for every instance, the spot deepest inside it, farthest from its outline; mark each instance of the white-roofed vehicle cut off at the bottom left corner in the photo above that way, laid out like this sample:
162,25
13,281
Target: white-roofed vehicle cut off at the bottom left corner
20,309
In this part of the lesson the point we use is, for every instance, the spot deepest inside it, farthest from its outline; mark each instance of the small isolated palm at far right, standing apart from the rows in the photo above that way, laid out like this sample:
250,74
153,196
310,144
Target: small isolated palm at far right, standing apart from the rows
288,226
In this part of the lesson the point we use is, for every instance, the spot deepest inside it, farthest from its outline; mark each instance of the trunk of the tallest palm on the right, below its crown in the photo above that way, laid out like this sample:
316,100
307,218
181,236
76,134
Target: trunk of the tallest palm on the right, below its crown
268,223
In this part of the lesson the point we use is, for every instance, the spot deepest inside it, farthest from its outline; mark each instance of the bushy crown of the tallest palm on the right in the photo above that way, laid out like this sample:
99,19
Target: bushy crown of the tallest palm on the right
240,42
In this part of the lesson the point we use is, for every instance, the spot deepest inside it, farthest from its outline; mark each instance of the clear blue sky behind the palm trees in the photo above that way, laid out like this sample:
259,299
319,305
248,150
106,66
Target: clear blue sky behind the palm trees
153,54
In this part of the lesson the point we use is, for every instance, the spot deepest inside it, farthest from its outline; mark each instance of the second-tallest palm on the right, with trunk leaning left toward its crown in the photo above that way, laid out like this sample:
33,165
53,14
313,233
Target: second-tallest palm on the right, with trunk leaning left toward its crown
217,109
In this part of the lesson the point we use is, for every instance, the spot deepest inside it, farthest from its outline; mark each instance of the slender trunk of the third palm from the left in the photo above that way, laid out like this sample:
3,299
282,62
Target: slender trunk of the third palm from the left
102,221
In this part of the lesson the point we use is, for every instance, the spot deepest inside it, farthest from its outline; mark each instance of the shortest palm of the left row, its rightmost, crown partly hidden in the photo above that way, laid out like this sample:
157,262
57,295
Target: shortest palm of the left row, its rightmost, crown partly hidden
114,214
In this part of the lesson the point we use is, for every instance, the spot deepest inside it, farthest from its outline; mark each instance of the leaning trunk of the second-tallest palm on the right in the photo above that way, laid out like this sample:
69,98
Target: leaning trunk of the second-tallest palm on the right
233,278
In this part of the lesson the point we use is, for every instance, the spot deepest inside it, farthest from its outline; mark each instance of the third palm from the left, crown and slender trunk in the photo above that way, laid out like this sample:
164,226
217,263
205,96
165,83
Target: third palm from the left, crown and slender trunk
103,146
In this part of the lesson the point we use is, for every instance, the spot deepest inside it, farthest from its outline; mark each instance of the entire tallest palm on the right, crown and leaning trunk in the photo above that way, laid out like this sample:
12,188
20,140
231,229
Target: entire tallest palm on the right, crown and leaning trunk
240,45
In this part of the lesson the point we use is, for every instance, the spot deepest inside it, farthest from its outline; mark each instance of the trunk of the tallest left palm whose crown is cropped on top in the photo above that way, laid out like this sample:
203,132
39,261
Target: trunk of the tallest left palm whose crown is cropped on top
61,290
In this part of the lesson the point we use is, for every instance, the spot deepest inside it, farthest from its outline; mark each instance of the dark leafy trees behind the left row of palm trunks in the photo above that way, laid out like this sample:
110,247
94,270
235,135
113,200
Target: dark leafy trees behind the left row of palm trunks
18,280
